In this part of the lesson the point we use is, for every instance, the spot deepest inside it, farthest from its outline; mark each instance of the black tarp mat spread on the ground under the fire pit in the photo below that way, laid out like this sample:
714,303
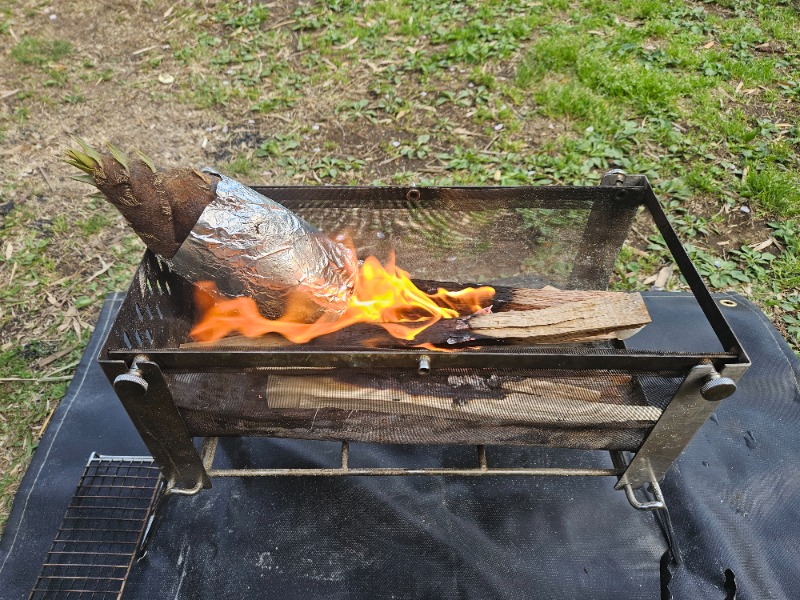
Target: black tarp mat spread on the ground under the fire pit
734,498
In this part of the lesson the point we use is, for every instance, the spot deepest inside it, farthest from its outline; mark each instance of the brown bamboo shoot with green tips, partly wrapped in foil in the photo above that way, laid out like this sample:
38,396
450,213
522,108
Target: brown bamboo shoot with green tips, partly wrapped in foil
212,228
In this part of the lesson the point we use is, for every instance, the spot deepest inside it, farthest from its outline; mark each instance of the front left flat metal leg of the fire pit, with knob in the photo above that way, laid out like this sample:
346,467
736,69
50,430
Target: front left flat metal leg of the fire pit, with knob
149,404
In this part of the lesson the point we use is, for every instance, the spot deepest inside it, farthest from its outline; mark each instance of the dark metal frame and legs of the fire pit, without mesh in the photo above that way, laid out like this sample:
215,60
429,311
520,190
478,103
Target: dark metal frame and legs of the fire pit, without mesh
137,370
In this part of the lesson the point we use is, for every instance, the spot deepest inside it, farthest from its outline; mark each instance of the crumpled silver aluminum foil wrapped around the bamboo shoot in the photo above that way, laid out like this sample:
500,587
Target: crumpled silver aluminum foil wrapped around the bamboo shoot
252,246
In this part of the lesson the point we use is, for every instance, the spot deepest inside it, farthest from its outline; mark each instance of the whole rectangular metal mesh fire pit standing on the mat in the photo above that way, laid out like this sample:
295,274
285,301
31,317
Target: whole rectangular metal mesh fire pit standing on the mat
568,237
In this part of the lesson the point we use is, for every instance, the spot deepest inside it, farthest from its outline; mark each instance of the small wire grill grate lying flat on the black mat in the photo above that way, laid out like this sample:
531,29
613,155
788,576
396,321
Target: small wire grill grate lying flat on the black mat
94,548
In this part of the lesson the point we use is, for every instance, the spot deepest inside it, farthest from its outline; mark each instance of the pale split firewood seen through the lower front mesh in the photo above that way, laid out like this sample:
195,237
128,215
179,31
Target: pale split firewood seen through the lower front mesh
504,395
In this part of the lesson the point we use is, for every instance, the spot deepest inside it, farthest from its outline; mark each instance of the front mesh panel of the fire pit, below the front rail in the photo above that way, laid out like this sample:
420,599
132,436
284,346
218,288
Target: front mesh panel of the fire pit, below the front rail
577,409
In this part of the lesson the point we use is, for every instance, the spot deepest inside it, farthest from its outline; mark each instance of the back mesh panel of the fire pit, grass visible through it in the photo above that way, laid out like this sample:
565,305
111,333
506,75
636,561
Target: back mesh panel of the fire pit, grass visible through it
493,235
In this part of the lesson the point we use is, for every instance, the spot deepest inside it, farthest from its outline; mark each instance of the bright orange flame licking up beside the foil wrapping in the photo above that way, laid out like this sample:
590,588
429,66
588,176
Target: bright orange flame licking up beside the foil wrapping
383,296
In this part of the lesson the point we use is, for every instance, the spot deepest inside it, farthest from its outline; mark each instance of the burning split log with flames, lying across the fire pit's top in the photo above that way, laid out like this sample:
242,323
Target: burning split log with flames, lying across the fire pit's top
568,317
